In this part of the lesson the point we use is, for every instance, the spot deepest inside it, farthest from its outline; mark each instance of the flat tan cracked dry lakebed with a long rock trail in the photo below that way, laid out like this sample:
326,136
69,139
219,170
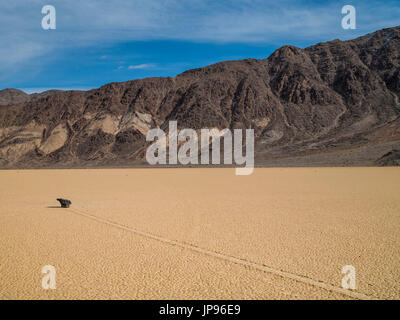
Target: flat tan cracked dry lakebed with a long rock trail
194,233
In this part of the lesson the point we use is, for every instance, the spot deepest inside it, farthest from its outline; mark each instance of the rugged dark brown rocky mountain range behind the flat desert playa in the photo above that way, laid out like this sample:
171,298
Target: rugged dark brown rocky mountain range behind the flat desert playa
334,103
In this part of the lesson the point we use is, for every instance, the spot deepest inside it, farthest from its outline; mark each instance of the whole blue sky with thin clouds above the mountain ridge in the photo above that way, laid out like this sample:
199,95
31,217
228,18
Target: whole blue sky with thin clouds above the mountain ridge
101,41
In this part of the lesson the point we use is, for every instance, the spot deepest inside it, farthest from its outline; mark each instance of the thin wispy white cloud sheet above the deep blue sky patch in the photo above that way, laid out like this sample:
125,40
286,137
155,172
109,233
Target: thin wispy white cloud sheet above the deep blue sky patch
104,22
